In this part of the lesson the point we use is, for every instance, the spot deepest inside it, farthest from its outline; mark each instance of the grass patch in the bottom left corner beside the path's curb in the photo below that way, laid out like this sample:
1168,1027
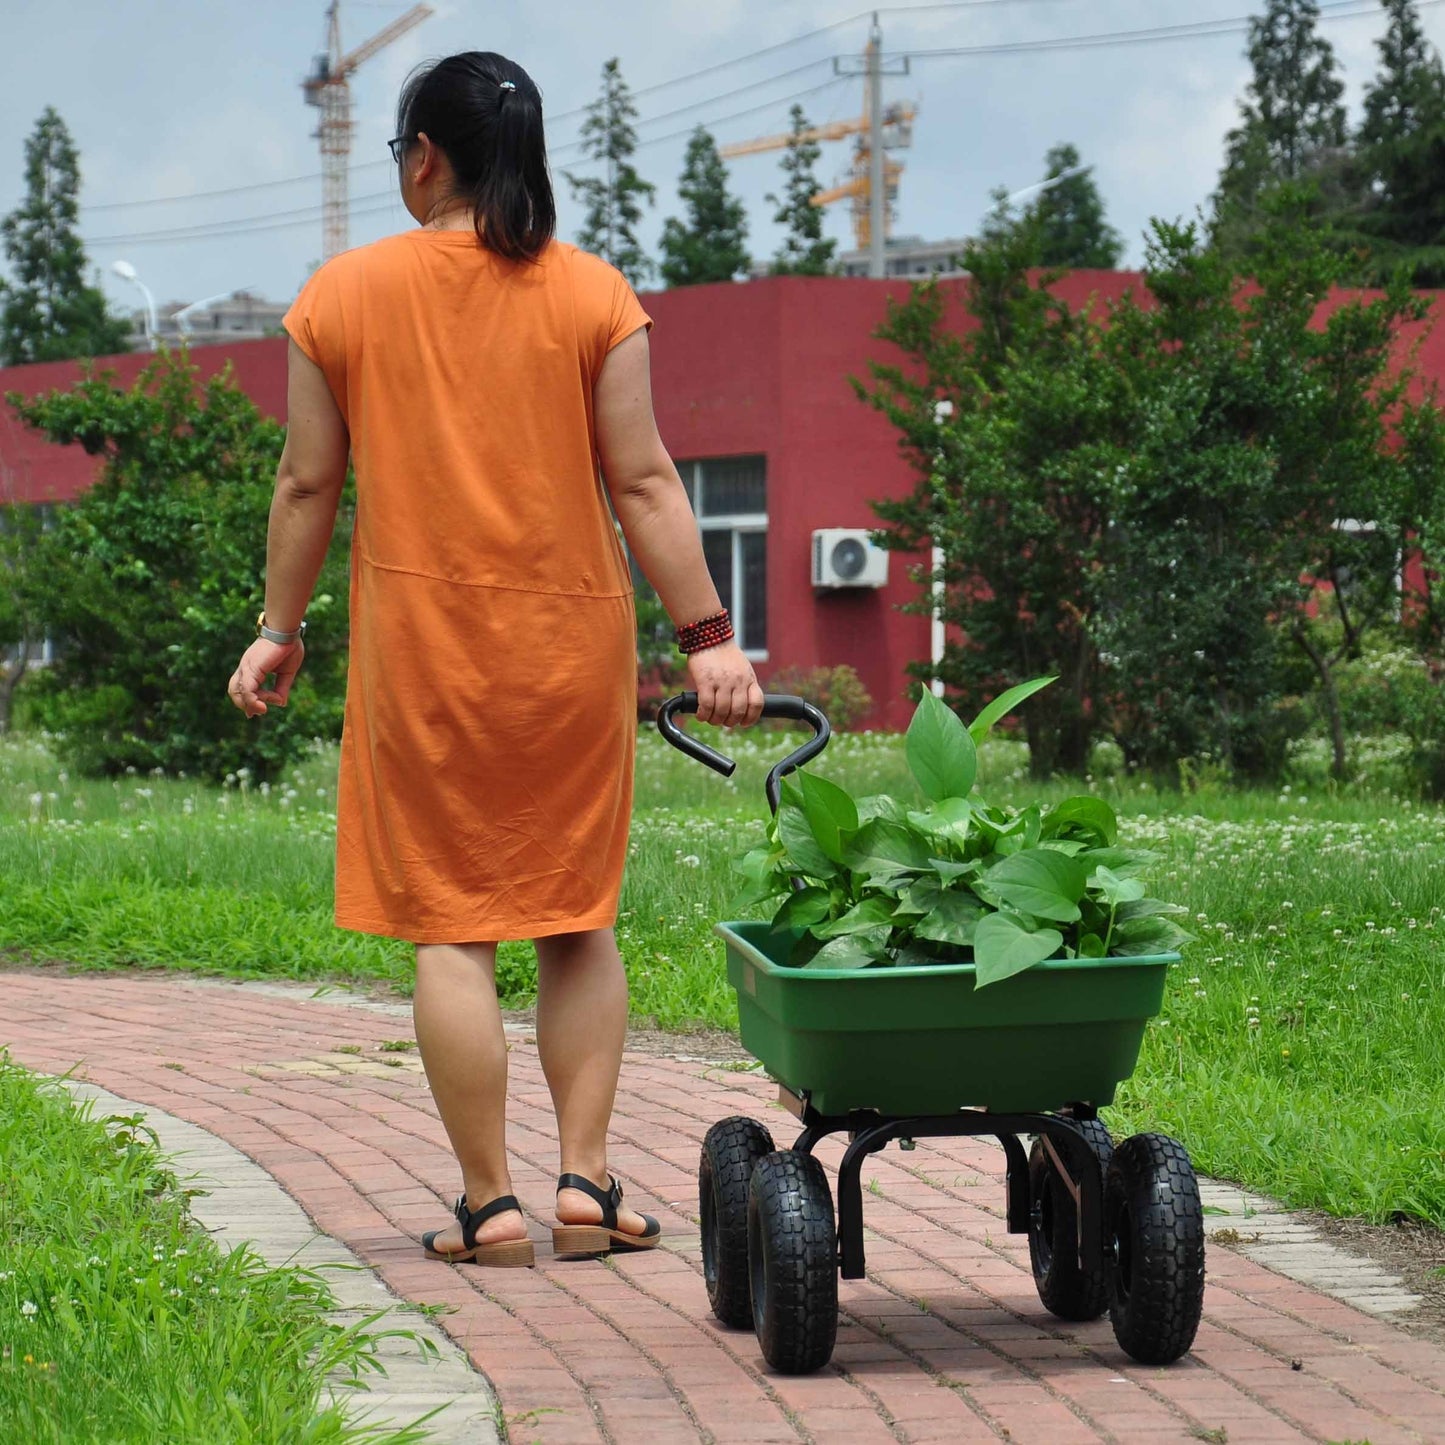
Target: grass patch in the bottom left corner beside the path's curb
122,1323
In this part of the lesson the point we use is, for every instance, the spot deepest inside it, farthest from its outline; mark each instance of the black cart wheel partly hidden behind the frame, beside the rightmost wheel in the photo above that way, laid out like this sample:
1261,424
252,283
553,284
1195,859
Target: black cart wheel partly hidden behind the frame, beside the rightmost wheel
1066,1287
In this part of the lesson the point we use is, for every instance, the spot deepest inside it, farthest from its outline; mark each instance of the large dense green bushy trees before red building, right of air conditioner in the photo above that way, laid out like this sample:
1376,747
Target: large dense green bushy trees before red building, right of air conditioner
1148,501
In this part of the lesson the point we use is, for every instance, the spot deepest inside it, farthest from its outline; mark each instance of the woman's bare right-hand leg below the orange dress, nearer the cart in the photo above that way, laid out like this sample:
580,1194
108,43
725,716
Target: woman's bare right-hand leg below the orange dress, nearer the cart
582,1030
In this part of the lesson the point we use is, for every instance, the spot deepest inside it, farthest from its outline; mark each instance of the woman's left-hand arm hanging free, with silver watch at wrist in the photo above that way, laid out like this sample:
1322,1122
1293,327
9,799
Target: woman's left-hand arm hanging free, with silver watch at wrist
304,514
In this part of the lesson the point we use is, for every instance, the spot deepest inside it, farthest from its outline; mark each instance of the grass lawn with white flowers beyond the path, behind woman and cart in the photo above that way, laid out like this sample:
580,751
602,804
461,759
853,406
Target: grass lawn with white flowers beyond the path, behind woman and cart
1303,1050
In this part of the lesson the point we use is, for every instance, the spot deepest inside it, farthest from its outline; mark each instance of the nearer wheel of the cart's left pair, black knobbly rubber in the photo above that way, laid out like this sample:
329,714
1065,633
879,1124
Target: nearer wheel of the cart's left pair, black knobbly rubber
793,1255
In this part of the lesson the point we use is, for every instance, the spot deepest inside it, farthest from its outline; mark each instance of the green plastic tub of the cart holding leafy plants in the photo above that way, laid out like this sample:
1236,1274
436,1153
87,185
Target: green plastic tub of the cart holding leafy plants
923,1041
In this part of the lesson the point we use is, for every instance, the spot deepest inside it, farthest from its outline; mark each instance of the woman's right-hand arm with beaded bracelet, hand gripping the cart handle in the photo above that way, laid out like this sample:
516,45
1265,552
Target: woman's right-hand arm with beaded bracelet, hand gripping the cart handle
661,530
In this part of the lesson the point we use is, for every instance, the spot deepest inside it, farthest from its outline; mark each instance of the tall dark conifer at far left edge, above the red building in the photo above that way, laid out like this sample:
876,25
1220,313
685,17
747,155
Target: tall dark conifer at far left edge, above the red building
47,311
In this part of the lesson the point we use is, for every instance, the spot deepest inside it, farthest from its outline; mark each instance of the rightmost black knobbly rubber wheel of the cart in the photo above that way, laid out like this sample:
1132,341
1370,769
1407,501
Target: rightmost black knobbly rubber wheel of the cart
1154,1235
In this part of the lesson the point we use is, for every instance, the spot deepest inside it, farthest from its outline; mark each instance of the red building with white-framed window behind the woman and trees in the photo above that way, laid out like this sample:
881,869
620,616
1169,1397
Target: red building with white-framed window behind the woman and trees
754,401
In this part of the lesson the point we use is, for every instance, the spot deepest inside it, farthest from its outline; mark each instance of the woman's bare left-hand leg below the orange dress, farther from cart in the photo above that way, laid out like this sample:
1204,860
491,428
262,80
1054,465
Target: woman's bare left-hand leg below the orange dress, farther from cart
465,1051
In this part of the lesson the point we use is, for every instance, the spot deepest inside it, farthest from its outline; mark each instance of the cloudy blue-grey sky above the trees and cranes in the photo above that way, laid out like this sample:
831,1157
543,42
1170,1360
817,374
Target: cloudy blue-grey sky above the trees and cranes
168,99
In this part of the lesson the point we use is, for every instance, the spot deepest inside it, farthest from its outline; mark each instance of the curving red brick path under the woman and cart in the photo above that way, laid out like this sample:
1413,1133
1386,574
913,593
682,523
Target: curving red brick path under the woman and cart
946,1342
